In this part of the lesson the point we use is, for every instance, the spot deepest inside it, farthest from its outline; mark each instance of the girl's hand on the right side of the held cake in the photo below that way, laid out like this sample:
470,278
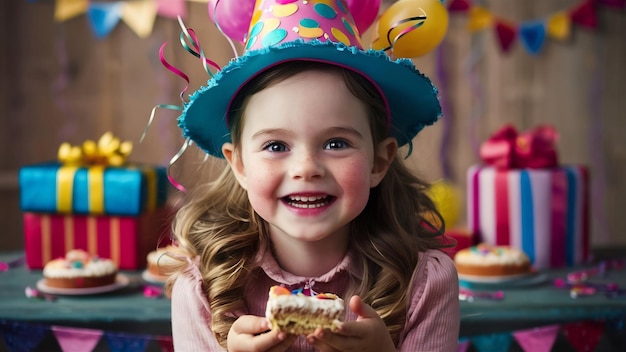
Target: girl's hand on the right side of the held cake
367,333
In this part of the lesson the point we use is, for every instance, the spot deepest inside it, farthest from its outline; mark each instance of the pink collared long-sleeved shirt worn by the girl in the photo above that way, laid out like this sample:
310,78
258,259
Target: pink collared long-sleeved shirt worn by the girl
432,322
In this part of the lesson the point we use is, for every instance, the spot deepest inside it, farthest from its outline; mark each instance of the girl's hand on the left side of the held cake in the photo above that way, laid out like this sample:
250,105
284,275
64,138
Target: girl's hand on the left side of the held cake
252,333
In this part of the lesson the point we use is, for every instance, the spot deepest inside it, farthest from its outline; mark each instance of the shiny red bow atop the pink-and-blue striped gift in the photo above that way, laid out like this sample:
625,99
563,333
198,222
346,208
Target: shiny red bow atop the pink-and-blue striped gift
506,149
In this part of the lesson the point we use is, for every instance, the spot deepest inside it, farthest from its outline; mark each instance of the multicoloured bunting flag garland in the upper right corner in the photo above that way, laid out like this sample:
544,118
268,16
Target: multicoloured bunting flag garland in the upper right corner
532,34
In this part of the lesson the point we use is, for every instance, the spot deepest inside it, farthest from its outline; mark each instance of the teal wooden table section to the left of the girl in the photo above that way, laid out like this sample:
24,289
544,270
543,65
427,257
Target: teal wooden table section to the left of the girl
126,309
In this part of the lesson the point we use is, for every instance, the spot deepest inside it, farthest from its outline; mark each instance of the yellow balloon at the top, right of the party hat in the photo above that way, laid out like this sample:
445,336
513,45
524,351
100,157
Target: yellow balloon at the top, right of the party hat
430,15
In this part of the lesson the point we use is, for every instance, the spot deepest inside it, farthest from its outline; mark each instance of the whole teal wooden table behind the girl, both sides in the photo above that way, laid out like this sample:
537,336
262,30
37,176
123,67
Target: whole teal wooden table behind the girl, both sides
535,304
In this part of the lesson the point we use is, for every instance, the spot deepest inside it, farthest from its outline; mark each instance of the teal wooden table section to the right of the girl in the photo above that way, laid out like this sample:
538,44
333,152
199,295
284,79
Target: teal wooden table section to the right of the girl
540,302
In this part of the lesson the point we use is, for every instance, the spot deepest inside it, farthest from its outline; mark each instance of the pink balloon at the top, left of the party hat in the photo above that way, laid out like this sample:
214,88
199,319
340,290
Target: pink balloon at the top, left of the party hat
232,16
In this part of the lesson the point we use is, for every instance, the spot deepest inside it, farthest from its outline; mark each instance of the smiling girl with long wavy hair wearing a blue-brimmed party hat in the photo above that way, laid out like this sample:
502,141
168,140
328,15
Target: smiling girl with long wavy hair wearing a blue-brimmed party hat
314,194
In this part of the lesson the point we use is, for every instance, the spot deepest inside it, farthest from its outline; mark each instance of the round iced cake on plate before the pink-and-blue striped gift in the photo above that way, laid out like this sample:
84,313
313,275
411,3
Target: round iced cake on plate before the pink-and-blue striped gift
487,260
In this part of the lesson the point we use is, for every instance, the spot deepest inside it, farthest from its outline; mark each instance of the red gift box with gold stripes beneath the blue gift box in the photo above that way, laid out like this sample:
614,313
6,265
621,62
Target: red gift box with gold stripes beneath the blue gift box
126,240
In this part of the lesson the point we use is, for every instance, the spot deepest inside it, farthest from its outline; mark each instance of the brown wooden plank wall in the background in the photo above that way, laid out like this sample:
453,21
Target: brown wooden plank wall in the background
60,83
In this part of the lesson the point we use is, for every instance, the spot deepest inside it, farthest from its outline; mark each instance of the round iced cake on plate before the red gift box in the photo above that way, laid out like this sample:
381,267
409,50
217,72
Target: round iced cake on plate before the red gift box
78,269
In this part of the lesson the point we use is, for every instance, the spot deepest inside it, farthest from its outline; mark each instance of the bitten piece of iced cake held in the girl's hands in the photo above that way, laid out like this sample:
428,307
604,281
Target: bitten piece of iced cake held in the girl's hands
299,314
